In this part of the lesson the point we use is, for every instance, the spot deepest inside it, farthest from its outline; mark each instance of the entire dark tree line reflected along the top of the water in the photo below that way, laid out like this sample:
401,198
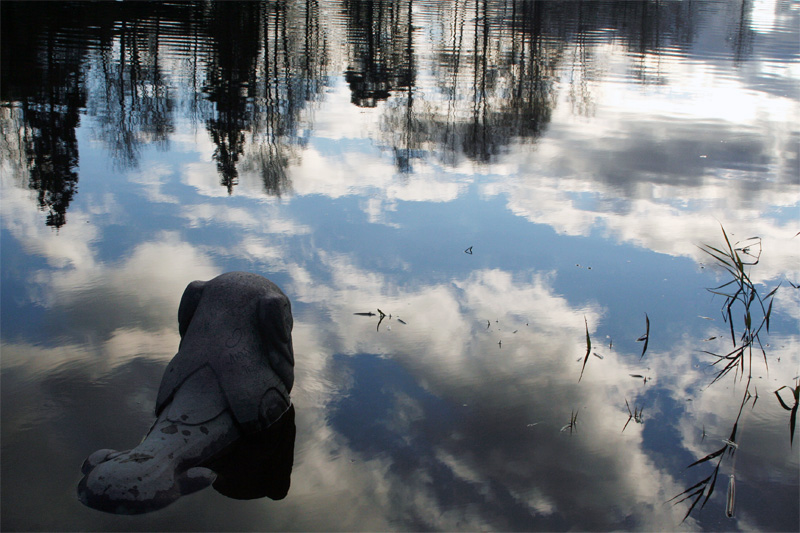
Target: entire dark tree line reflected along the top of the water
248,71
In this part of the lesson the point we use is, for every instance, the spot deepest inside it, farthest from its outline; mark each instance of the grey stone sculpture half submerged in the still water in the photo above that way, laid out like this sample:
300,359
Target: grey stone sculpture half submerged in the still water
225,389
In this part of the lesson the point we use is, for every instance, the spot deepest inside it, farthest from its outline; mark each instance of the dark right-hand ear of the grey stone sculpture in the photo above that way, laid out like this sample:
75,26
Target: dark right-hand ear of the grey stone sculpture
275,326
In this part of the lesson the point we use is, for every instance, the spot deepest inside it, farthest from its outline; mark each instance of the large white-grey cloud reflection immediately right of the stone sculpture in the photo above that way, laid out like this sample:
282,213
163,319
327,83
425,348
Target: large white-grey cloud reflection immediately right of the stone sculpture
447,346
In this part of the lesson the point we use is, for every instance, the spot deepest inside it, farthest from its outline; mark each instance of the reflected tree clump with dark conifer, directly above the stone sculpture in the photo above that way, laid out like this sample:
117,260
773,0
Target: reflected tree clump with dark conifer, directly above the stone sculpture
266,65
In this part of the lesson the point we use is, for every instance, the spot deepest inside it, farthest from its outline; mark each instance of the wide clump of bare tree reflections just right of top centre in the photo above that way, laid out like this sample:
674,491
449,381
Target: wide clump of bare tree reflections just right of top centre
496,72
